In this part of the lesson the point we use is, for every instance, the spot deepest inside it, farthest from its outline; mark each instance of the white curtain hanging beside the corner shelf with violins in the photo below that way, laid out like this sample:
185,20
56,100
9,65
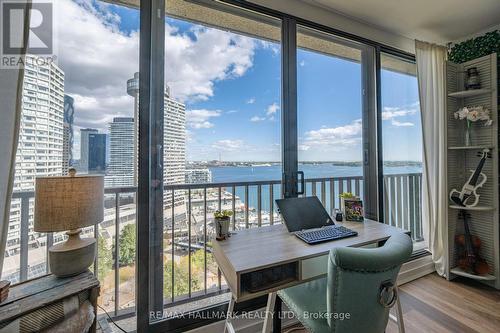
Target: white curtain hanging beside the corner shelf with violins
431,62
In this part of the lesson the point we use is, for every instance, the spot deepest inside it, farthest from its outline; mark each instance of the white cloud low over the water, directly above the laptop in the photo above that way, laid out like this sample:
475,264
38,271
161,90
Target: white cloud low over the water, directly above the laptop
331,138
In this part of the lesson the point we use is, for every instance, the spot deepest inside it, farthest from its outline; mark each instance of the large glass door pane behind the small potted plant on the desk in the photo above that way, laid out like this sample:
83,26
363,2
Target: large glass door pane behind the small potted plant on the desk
222,138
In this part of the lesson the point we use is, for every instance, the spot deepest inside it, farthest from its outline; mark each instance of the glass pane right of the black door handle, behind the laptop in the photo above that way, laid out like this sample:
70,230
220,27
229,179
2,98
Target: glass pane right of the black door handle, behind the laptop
331,88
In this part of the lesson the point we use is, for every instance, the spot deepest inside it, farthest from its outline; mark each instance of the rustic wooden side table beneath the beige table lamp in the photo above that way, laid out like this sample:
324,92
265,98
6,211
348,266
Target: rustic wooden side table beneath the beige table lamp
30,296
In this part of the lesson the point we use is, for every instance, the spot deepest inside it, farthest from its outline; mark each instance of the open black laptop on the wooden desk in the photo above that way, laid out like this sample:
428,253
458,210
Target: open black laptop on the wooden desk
307,219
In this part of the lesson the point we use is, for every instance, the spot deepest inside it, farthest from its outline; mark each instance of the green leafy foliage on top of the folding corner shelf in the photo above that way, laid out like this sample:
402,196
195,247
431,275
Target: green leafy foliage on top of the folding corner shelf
475,47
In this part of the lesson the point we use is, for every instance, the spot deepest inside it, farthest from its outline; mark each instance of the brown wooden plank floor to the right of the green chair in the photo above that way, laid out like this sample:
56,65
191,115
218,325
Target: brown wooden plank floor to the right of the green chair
432,304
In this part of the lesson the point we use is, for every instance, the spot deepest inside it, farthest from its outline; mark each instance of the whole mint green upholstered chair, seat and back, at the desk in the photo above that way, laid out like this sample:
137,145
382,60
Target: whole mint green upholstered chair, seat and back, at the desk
361,283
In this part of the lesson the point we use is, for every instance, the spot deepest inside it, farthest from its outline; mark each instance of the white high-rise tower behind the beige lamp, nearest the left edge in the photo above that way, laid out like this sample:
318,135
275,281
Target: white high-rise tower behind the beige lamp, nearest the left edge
40,147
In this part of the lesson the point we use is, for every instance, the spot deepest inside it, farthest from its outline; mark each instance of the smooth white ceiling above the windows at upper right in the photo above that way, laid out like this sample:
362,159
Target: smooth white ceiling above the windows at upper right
439,21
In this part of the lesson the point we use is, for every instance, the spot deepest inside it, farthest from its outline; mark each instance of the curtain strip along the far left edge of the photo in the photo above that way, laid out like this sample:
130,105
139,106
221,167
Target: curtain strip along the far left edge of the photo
11,84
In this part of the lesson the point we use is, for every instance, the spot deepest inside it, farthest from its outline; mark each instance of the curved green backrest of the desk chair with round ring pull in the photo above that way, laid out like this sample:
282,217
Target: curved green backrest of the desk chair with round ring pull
354,283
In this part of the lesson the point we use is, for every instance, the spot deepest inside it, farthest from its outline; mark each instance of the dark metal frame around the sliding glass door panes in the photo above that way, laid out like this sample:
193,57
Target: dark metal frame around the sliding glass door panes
151,103
